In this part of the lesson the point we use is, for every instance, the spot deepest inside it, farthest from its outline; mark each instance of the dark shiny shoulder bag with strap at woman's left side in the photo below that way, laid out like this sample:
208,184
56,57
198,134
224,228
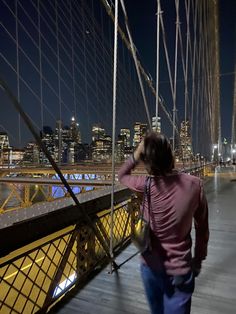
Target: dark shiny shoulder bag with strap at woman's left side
141,234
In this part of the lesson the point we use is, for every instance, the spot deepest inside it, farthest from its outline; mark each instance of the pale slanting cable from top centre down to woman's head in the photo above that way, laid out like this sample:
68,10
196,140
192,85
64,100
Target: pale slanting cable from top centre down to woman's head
136,64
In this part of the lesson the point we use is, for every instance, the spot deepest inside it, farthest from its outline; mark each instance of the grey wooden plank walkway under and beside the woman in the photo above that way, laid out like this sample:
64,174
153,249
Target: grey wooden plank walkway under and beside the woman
122,292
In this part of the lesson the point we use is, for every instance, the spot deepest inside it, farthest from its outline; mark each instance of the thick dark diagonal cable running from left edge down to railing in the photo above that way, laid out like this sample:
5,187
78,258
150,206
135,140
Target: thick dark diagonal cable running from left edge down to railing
29,124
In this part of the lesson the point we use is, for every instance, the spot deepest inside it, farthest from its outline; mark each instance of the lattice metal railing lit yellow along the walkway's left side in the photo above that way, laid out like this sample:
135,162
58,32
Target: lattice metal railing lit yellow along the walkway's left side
44,257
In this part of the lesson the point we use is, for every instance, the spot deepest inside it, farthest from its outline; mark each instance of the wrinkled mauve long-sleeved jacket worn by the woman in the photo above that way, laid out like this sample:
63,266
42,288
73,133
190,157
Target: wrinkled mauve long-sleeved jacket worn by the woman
176,200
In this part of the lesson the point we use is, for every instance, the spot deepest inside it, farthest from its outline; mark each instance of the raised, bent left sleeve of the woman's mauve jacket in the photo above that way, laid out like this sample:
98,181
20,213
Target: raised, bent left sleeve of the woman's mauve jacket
135,183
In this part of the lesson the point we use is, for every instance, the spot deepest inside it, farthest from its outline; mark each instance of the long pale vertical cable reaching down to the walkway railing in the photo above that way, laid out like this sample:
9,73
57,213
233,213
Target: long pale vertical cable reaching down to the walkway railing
114,124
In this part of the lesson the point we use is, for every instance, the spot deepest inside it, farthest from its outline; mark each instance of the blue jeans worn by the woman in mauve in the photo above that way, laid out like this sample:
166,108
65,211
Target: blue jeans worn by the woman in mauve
166,294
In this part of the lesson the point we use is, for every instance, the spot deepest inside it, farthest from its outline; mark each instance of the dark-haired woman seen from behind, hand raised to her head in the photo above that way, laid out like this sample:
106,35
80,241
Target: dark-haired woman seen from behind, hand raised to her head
176,199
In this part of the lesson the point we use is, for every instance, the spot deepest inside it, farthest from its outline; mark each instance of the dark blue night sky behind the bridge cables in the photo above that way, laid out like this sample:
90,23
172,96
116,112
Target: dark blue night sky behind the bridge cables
142,21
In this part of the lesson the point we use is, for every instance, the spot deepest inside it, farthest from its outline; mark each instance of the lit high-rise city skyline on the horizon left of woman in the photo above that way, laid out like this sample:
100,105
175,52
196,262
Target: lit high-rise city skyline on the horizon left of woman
64,143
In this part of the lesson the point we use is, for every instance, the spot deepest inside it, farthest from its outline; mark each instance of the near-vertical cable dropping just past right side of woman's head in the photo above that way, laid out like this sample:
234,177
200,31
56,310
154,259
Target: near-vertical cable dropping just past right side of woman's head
175,74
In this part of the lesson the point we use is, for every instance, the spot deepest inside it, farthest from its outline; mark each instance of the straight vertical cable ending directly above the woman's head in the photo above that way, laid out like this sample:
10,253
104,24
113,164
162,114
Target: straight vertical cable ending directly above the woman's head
157,62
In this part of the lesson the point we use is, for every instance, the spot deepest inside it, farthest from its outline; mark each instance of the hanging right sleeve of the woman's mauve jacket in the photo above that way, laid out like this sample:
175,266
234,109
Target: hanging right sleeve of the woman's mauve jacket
201,229
